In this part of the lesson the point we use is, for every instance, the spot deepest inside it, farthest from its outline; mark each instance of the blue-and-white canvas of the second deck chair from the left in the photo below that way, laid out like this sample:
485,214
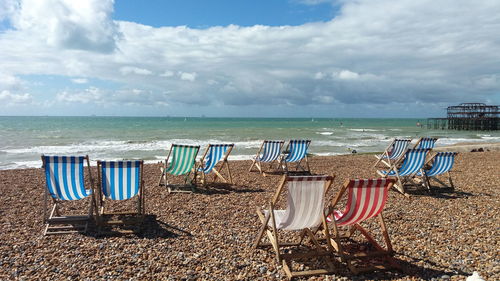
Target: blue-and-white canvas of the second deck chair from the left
120,180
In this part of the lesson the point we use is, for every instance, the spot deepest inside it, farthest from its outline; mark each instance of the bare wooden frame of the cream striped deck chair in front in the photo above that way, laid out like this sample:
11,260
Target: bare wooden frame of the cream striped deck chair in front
269,227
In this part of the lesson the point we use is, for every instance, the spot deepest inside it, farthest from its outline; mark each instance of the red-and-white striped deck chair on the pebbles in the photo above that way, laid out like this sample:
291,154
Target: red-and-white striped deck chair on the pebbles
366,199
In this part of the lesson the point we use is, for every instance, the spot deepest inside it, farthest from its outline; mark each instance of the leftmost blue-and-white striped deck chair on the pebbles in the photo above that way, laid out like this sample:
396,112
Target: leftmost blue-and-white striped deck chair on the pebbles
64,178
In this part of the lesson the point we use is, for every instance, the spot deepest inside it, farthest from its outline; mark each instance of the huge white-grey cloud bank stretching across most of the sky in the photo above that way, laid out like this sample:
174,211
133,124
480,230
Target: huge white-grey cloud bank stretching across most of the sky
373,53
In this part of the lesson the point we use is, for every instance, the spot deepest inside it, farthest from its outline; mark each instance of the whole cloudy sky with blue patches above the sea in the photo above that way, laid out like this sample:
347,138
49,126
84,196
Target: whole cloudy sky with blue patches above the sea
248,58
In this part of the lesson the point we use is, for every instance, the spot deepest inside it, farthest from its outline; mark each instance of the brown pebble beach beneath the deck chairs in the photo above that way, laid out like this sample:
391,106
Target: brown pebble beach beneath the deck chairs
207,235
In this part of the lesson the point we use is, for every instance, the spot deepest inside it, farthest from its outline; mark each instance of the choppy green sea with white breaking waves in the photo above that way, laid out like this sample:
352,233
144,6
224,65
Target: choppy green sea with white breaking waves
24,139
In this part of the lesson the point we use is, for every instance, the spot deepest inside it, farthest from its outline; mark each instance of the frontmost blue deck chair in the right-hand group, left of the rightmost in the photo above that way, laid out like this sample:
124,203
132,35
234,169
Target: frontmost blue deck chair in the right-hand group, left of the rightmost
413,163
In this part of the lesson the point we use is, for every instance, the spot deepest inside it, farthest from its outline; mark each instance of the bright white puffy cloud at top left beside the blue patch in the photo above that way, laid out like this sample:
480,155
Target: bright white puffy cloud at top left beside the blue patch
67,24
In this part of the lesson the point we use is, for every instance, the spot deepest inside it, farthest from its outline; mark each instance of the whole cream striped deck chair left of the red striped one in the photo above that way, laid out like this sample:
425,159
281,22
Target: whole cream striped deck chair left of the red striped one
305,211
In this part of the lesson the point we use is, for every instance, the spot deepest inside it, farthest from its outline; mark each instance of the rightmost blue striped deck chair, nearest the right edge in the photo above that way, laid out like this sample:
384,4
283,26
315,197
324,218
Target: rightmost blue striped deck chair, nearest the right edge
442,163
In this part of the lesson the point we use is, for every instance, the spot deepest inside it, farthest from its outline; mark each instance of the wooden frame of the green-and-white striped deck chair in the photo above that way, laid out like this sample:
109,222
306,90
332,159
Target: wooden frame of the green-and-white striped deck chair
189,181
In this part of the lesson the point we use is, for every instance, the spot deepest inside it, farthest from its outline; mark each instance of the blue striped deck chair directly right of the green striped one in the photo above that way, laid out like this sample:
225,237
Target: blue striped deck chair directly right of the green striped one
214,154
